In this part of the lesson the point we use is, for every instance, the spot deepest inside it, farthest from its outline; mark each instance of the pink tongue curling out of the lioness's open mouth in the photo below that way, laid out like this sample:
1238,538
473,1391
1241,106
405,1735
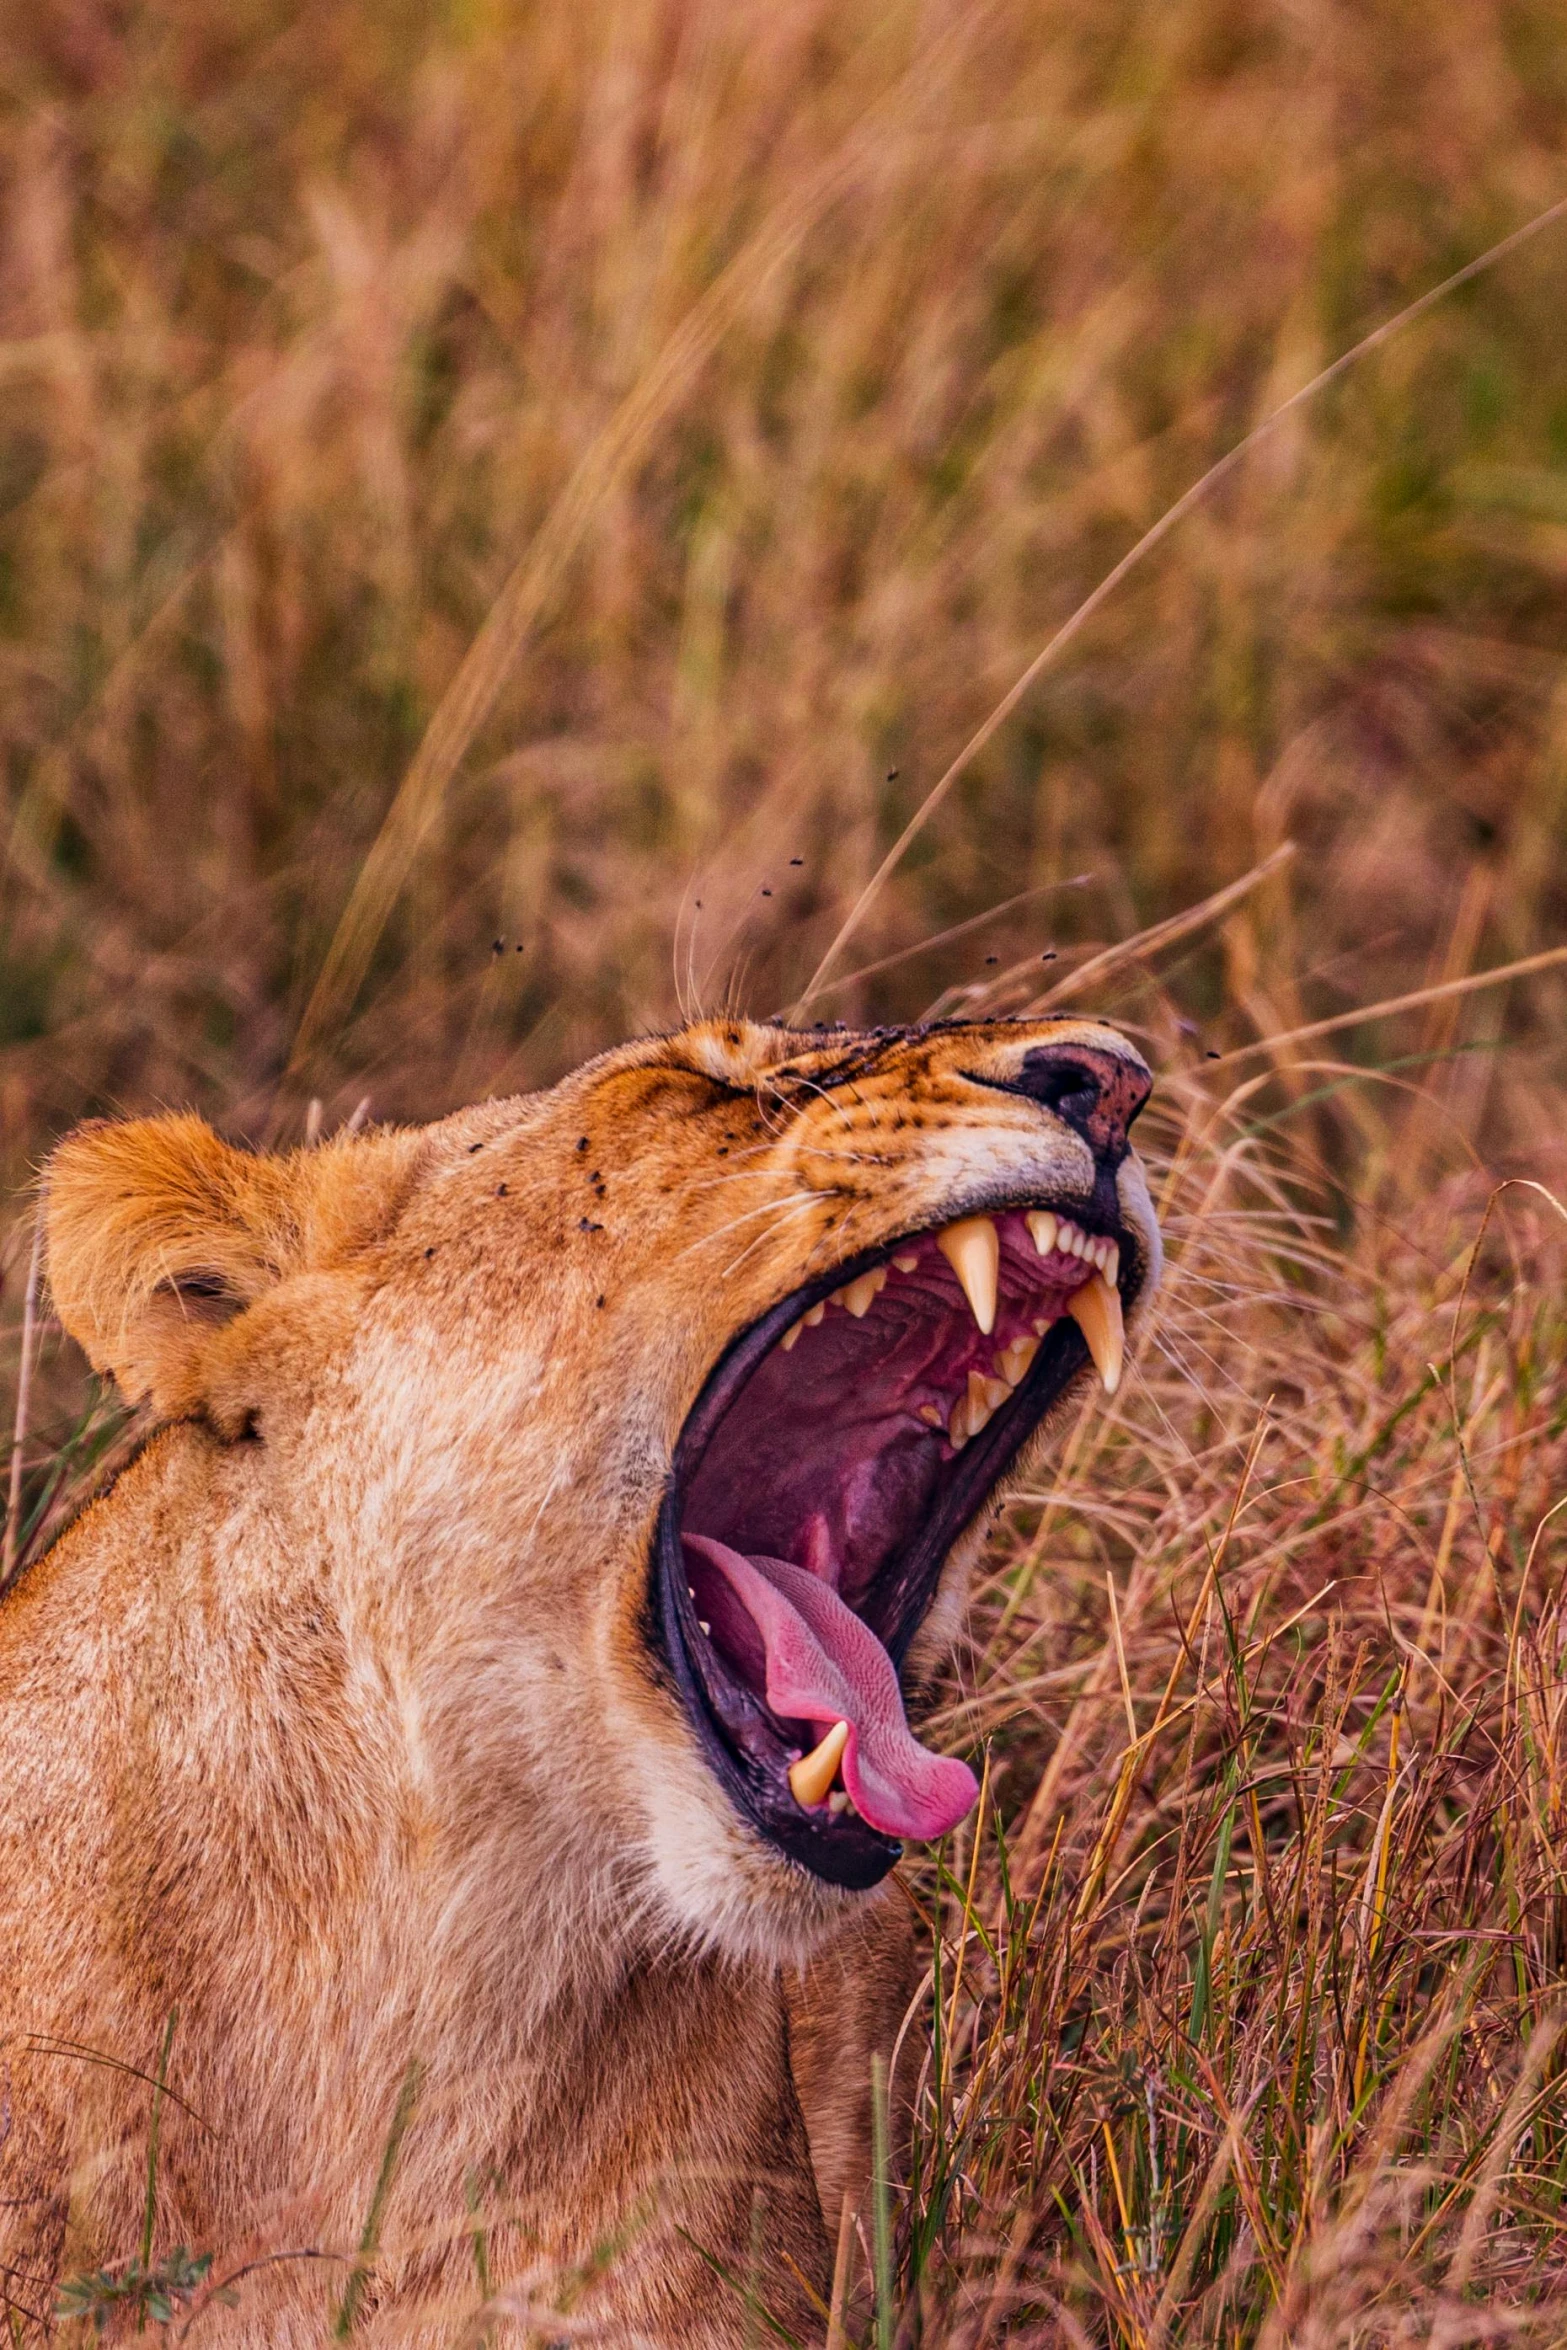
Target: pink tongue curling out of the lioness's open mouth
826,1667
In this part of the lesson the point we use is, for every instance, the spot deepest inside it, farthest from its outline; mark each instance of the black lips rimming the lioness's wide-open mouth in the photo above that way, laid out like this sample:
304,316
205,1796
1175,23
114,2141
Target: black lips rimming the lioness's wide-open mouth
842,1851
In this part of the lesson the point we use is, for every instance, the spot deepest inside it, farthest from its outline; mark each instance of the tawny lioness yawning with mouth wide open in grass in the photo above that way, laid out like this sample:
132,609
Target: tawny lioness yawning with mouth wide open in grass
487,1684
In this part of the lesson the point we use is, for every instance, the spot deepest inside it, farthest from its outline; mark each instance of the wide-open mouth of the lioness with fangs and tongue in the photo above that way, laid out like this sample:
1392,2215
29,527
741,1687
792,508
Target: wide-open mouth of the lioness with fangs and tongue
835,1456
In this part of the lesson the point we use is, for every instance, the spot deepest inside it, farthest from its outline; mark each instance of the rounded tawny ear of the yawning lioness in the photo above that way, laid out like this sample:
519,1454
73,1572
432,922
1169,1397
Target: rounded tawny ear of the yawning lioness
159,1235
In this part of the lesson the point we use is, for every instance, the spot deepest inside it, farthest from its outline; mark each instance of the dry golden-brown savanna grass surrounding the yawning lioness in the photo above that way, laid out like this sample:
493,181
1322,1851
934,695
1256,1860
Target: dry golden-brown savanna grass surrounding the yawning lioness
504,516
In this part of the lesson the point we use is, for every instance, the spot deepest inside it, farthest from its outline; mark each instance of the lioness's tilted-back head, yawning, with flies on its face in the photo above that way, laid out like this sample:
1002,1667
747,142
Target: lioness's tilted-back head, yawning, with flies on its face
638,1435
